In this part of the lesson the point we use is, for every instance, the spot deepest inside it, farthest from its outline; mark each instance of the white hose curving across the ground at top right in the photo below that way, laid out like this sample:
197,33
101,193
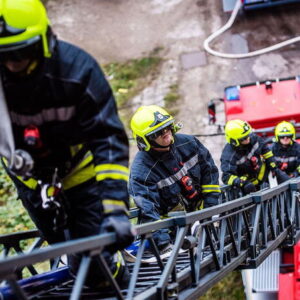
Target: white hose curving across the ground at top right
229,23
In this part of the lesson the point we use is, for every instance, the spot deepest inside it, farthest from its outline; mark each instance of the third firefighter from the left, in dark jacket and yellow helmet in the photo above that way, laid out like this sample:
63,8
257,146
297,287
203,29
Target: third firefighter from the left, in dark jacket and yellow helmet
246,158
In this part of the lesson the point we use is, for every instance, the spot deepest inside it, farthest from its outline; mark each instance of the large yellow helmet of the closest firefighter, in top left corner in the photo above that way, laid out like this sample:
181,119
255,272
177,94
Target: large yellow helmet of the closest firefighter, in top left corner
24,23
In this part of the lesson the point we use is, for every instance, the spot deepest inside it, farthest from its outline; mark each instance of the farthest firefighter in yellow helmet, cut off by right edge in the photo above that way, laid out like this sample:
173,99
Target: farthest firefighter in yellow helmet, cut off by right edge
286,150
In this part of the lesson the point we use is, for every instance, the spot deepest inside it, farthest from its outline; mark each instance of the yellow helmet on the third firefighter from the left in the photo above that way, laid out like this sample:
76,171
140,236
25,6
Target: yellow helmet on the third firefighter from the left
237,130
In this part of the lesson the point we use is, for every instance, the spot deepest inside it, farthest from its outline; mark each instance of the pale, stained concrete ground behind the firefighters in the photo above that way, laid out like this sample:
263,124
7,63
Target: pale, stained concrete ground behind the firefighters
117,30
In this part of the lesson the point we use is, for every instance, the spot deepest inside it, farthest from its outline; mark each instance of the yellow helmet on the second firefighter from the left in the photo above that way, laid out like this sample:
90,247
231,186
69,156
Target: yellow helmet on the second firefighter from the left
148,121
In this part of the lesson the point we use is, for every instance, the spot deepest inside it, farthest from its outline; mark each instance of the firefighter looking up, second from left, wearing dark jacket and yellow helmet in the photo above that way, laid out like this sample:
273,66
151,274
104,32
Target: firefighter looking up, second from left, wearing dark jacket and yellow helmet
170,169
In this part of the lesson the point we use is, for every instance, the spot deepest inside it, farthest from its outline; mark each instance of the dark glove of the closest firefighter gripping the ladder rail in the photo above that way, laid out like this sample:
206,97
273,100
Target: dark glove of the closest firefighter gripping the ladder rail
120,224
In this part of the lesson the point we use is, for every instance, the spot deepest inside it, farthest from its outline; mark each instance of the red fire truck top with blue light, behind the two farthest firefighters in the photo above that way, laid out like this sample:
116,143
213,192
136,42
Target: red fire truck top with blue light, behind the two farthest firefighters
264,104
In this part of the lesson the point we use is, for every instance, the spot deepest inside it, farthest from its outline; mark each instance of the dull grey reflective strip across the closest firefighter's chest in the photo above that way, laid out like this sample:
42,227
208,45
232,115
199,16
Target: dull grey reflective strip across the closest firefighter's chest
46,115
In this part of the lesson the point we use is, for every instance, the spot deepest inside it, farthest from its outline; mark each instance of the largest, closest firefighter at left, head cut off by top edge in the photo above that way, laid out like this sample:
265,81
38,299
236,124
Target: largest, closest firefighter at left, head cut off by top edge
64,115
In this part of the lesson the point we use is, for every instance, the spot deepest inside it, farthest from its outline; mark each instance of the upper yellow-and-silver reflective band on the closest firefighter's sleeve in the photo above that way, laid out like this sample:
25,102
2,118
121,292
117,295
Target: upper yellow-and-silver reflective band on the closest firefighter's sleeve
112,171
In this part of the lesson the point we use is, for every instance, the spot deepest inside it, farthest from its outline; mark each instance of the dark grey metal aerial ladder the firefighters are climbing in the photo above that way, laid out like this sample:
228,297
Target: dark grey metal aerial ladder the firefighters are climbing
239,234
